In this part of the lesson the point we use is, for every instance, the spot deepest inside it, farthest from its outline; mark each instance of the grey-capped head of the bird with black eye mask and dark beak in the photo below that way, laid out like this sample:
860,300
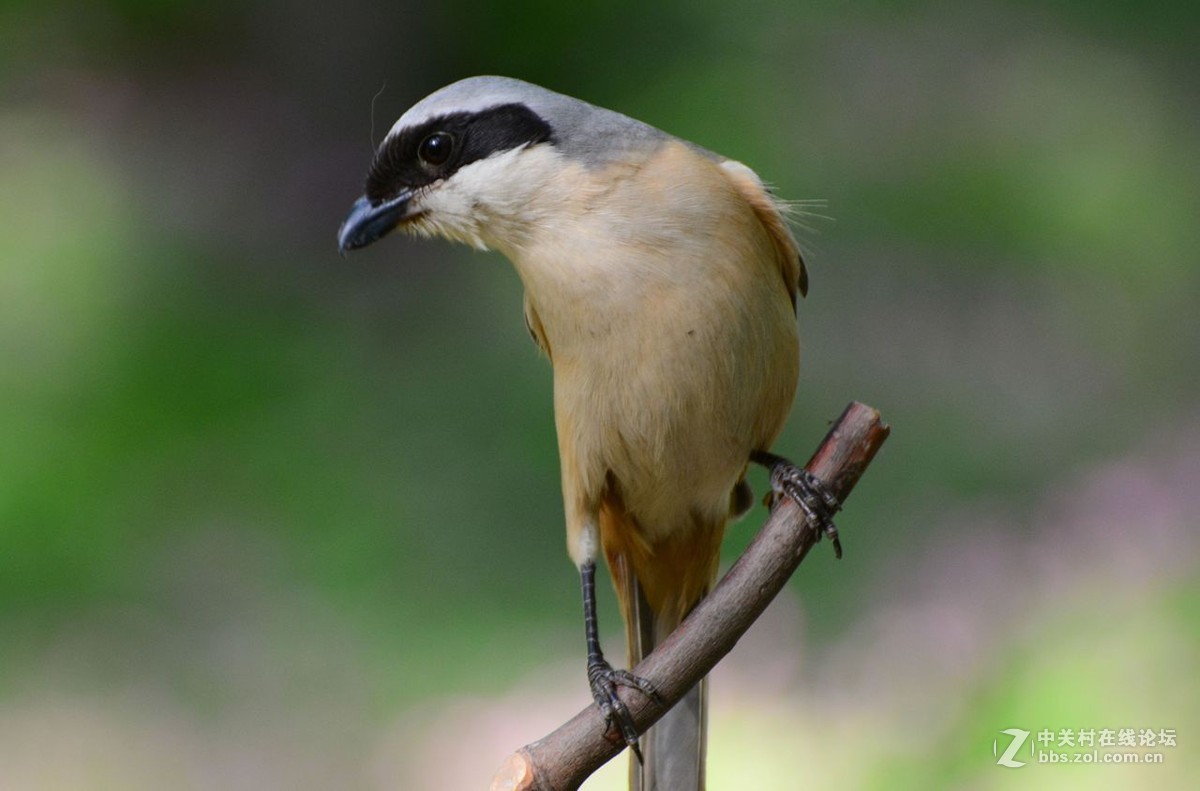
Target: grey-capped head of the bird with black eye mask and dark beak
483,159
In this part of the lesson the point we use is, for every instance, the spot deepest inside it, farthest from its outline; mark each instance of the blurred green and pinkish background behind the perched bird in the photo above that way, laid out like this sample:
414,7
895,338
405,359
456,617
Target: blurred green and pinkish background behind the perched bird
273,519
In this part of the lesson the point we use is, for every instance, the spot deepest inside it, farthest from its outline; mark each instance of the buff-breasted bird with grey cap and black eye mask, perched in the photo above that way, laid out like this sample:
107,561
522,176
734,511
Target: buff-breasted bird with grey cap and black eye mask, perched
662,283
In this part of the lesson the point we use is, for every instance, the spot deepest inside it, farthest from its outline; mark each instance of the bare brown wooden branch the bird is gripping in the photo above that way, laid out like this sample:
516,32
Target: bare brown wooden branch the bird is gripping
566,758
